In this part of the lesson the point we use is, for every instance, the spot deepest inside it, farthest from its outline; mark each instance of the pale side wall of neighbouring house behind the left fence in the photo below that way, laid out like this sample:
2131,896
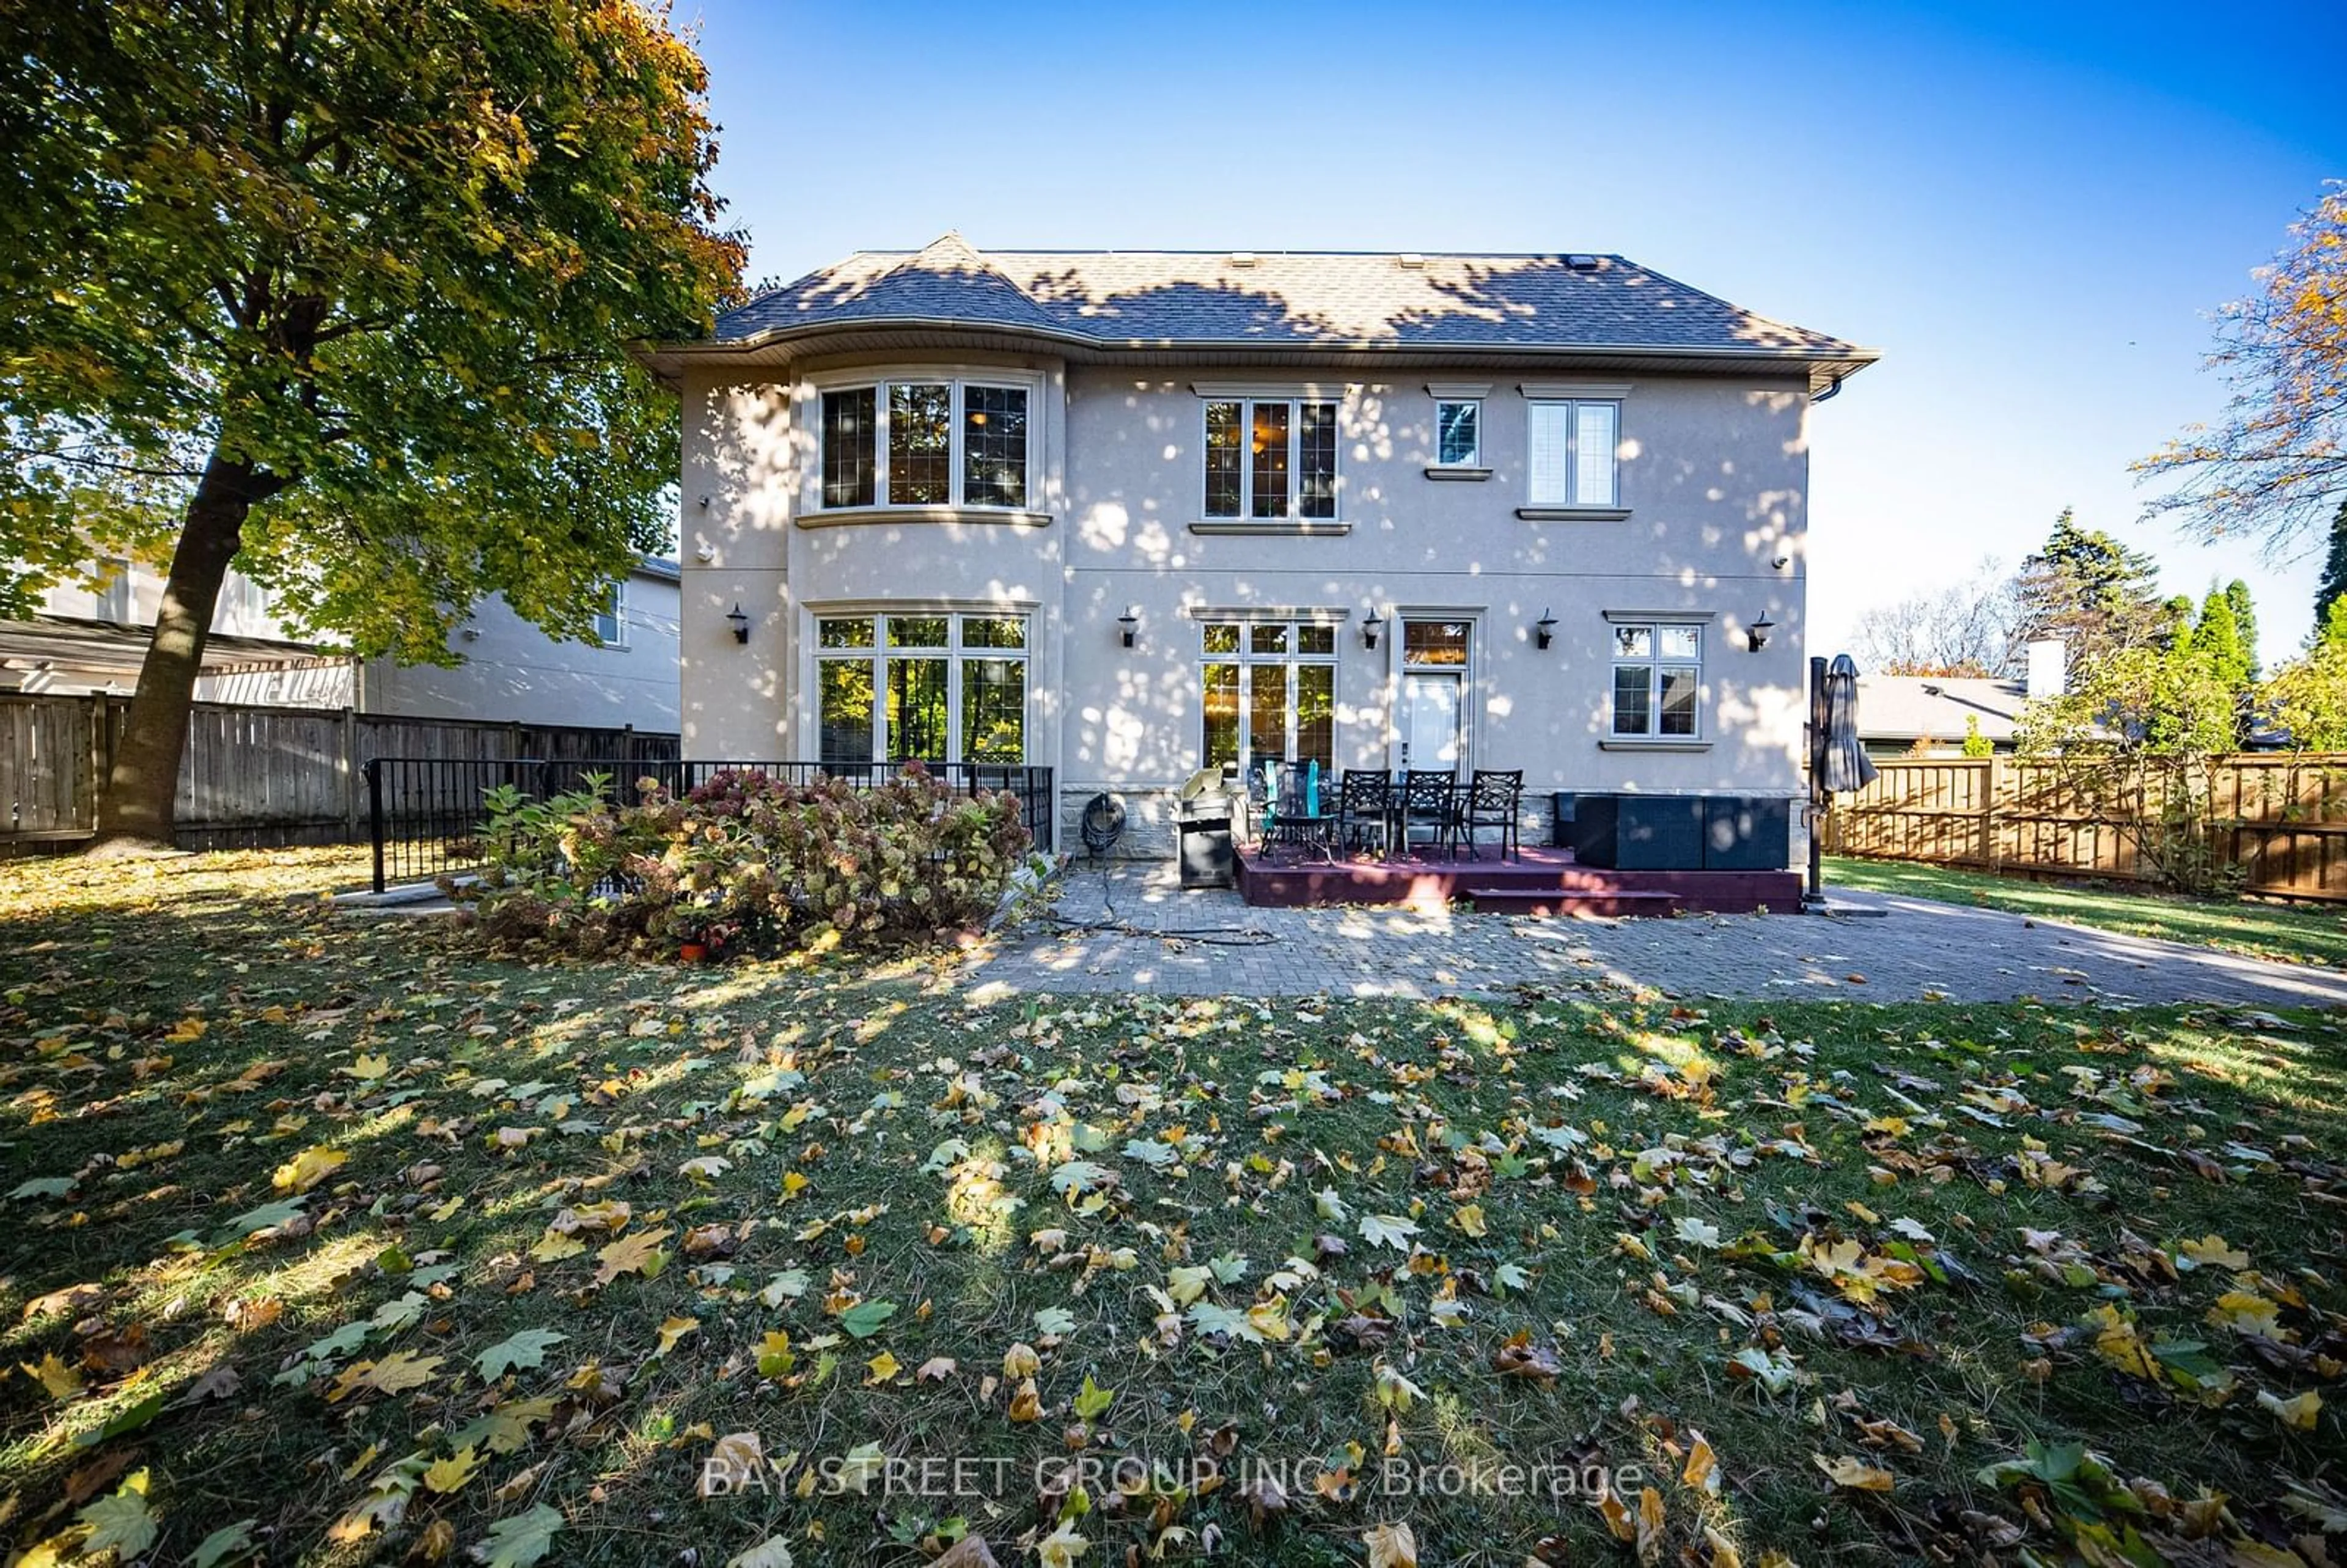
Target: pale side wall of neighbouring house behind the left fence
518,673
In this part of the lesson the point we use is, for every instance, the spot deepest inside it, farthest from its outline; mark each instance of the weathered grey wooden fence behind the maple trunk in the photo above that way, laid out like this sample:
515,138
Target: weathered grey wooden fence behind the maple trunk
257,776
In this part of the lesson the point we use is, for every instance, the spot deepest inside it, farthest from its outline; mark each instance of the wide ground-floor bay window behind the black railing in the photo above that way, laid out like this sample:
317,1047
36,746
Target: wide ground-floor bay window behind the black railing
921,687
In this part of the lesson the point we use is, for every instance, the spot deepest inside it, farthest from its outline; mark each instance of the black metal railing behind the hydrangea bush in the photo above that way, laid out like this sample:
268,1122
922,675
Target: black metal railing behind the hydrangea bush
426,813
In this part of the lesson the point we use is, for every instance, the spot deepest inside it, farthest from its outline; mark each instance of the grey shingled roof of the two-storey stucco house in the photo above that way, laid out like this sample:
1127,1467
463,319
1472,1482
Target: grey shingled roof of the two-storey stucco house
1290,299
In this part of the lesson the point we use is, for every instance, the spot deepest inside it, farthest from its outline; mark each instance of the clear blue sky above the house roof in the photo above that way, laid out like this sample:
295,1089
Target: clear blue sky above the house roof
2029,210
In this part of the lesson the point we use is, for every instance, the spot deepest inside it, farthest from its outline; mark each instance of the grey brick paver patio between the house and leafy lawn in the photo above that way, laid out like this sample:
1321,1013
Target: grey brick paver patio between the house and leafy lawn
1215,945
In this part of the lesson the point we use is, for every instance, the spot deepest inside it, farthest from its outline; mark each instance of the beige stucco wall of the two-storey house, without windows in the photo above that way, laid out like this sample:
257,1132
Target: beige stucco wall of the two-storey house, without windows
1714,478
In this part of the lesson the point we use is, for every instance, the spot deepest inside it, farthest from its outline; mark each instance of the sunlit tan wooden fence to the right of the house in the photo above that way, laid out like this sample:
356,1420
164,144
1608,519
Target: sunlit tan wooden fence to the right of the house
2280,818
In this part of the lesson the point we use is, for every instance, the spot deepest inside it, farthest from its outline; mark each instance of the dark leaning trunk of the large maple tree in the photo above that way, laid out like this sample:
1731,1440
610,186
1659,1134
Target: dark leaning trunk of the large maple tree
144,780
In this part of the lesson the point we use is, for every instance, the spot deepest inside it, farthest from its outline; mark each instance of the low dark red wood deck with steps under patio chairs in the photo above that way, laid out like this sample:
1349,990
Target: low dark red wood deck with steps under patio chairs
1545,881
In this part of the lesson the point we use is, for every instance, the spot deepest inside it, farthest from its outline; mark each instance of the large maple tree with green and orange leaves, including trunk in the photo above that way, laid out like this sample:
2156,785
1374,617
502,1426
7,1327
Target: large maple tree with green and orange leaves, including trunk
341,292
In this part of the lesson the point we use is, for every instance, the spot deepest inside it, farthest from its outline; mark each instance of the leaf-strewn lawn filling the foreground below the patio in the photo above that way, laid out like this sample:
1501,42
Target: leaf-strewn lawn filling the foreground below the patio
353,1243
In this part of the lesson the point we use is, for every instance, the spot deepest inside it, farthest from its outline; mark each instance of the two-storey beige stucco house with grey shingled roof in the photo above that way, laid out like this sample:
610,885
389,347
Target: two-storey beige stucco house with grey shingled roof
1142,513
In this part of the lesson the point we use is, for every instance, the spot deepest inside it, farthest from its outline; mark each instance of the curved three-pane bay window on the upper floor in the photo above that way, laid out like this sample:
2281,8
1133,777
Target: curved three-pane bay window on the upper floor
926,445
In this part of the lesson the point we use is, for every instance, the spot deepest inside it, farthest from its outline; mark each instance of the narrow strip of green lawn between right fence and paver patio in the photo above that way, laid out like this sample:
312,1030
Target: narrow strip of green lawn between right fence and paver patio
2287,933
